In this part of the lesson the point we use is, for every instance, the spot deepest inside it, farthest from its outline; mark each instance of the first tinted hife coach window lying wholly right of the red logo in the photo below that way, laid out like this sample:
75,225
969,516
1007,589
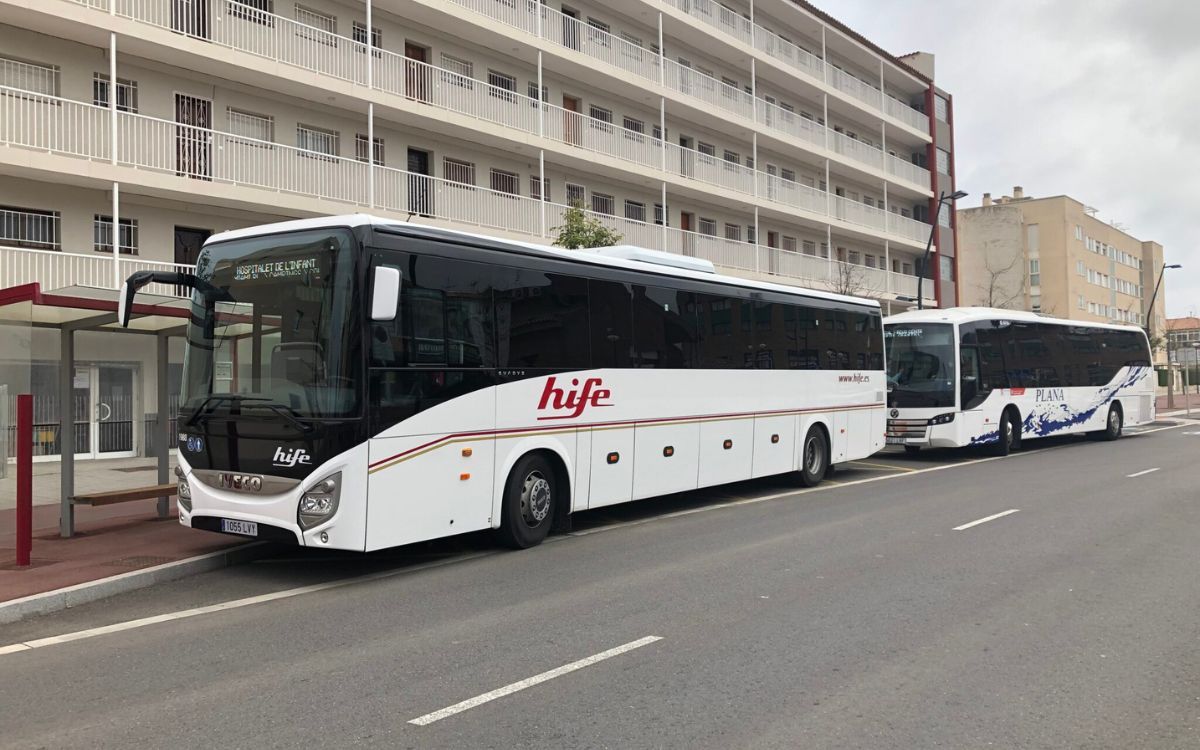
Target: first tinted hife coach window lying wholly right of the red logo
665,328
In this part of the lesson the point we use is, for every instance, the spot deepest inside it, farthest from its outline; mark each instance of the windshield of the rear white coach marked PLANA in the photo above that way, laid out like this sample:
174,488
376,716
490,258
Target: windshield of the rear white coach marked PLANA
921,365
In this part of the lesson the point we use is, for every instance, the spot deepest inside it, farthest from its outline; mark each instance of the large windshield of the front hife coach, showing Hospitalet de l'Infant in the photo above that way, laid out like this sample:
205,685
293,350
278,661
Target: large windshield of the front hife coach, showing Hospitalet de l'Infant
274,329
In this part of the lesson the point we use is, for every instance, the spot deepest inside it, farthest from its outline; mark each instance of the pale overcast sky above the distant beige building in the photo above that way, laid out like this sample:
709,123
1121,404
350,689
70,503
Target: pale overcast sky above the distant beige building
1095,99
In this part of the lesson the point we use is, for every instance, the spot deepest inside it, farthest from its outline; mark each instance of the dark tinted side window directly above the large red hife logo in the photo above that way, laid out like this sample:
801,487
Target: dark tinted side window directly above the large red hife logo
542,321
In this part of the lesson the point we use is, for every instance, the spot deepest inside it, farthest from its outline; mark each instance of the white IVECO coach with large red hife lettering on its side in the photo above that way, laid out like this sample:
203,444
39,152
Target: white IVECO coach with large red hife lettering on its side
357,383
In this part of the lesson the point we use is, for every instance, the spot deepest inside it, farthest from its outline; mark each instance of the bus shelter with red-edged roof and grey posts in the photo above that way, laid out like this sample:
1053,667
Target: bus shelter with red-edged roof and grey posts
70,311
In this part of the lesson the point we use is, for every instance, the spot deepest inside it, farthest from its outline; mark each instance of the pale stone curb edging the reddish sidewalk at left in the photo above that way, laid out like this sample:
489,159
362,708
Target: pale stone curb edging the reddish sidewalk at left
93,591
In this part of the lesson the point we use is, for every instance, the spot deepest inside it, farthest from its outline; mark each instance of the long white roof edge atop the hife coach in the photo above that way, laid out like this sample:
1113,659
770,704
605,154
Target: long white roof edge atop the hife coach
575,256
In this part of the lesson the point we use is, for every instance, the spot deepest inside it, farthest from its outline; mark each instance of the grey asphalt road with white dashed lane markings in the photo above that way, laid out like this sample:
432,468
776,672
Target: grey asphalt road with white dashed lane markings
855,616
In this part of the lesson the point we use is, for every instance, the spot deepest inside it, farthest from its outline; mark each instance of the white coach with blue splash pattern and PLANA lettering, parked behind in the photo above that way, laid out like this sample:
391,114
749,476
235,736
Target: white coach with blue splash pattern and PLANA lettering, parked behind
976,376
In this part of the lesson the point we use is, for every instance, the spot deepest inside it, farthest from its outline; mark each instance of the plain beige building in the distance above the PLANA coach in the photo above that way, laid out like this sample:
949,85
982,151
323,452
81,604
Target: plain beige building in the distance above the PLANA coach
1054,256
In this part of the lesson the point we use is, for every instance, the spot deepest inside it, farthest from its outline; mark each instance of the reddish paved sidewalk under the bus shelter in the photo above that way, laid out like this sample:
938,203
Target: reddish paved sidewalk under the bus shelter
109,542
